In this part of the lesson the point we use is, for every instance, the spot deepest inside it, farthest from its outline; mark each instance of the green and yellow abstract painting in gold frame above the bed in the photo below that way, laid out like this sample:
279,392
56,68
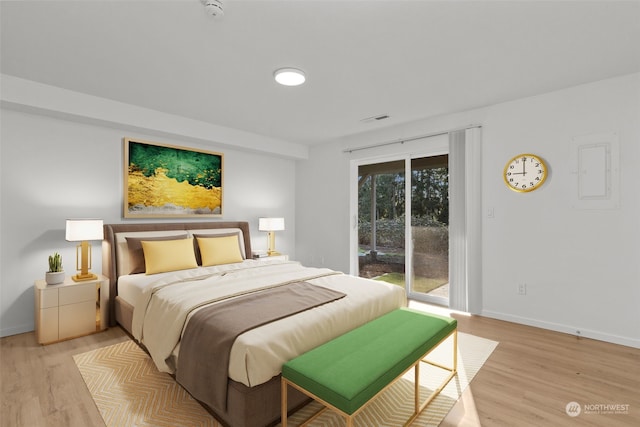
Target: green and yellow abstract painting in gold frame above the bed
164,180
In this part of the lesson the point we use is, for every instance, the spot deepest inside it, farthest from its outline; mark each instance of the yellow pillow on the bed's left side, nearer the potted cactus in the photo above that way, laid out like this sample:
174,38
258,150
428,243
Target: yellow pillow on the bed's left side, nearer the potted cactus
168,255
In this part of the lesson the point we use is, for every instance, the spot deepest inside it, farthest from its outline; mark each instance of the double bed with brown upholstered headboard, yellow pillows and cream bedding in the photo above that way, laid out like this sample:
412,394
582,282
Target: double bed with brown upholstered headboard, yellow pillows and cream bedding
163,301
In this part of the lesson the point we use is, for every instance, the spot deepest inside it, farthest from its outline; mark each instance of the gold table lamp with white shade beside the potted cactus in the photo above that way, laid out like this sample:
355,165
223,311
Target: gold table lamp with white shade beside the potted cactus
83,230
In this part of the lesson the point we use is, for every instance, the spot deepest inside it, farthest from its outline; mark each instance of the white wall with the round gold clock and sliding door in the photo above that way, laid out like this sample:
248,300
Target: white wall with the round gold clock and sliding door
581,269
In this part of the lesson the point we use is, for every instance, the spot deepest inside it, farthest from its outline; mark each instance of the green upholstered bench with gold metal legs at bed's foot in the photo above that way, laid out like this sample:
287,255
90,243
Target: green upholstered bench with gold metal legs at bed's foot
347,372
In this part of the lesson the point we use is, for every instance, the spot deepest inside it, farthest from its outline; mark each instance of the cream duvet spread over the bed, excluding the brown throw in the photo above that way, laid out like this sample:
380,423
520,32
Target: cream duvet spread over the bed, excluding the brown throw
163,308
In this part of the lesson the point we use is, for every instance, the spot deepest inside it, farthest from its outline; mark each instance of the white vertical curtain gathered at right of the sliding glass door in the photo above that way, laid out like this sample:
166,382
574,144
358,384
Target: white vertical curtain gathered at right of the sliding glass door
465,220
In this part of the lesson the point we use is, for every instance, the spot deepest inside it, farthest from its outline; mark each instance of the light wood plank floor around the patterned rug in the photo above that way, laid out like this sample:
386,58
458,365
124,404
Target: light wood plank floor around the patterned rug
528,380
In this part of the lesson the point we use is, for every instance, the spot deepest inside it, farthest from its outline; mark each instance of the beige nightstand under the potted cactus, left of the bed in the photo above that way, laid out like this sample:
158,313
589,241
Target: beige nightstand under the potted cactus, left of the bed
70,309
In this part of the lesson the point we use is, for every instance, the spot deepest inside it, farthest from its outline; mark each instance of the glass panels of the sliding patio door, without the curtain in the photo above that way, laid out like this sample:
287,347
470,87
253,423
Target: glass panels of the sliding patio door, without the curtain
406,244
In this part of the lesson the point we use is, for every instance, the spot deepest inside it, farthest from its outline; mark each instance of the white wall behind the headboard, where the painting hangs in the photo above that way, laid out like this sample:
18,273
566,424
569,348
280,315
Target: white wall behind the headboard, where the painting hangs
53,169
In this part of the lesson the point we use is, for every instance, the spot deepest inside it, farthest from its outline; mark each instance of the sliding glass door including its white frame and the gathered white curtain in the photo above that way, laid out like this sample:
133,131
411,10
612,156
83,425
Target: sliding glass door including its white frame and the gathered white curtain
416,210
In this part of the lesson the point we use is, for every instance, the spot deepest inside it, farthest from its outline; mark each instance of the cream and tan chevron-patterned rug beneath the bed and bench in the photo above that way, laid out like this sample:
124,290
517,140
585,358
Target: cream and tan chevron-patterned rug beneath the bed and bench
129,391
